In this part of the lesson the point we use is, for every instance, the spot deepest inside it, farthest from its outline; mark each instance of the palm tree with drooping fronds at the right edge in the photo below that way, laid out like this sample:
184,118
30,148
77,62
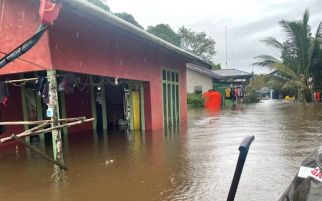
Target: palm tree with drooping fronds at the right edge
301,55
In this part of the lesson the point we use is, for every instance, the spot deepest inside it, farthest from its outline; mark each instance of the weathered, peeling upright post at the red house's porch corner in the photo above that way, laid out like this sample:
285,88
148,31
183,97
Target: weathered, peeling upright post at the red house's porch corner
53,103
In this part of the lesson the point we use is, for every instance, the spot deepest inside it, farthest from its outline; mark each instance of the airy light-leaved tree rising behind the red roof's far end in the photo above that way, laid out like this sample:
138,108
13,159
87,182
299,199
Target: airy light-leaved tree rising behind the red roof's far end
198,44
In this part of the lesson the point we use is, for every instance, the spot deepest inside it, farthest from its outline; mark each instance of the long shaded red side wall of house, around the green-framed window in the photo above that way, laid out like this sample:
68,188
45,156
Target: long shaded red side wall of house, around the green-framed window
89,47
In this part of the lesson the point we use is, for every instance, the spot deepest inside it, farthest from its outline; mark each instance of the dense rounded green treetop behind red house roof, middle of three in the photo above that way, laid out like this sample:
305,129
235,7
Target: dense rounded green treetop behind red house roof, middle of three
165,32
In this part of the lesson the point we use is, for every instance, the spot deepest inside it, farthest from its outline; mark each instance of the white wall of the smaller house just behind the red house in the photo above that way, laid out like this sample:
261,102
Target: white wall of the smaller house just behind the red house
197,79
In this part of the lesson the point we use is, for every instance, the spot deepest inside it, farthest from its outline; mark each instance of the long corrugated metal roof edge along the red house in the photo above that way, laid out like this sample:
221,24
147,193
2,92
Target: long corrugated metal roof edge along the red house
86,7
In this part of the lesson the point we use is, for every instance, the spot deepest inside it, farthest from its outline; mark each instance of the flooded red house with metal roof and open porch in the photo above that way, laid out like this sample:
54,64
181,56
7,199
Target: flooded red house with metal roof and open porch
122,74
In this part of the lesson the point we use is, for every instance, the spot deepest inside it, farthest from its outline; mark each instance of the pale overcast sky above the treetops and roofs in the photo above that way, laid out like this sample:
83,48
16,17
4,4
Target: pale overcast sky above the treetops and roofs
247,22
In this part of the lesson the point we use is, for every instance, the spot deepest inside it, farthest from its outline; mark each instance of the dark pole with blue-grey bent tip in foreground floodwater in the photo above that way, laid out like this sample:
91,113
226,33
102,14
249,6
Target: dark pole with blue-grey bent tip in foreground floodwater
243,149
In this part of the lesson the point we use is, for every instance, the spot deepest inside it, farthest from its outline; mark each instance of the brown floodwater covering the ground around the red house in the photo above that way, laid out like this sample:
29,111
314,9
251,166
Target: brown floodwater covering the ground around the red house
195,161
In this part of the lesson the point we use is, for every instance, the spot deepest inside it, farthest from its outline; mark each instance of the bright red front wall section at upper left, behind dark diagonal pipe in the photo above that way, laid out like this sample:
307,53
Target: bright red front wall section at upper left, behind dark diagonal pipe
19,21
